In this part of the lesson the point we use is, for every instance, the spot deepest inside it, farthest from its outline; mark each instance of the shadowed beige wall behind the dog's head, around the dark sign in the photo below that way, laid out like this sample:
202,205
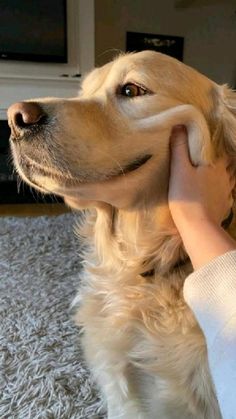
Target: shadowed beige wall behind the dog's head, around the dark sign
209,31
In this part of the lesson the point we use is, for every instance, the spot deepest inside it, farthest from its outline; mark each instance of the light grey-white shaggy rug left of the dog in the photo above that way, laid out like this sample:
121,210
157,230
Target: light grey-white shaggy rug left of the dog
42,374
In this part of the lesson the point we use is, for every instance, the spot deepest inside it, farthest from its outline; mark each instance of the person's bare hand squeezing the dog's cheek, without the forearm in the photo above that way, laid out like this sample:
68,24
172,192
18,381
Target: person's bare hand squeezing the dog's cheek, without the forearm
197,193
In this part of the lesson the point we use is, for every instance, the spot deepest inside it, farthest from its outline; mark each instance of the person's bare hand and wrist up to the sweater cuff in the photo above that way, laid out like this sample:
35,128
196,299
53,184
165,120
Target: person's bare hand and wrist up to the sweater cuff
200,198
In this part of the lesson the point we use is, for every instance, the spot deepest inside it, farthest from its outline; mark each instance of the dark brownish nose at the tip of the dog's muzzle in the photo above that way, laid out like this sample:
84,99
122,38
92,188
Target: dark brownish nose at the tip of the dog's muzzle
24,115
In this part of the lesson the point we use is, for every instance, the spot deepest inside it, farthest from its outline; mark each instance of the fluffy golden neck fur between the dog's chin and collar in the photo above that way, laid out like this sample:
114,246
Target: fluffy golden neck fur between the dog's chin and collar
134,241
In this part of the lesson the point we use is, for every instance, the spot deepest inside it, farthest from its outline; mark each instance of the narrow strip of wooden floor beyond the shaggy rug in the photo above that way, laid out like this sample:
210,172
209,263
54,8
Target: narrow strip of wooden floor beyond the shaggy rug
32,210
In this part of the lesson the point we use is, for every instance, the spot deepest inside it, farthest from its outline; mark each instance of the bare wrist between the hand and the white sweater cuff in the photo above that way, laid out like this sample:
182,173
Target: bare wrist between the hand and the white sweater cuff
204,240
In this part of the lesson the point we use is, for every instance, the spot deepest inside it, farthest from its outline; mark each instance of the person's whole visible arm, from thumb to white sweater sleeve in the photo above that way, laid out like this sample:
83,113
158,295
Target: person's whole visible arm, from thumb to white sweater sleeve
199,199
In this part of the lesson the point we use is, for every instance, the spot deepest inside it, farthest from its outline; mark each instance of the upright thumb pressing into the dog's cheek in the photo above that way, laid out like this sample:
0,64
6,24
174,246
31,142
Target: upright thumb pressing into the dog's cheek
179,147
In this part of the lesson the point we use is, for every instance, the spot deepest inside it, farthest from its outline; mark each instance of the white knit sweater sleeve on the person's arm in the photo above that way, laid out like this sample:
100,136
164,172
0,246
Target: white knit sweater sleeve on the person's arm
211,294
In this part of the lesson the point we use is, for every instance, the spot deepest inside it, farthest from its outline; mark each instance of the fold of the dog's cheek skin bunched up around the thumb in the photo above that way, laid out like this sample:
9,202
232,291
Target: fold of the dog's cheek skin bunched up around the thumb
199,139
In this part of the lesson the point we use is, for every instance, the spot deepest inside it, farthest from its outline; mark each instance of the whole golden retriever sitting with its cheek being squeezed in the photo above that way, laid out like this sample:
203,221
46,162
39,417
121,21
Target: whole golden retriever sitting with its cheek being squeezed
107,150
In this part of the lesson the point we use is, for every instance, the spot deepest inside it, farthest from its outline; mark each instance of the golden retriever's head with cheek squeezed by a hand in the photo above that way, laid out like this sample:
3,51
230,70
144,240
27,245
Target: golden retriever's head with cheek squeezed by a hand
111,143
